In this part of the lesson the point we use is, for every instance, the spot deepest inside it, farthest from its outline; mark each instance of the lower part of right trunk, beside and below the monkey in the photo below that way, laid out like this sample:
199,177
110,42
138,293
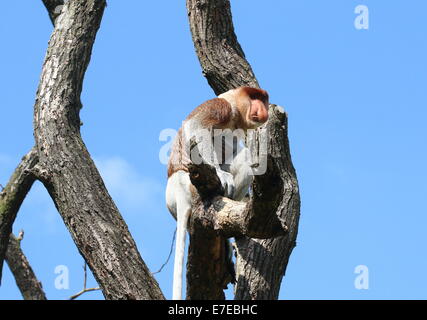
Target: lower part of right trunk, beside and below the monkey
261,264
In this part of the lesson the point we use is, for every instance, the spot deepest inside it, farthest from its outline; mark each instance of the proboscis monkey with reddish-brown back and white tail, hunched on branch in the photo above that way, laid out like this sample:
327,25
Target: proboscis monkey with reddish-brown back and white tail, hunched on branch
234,111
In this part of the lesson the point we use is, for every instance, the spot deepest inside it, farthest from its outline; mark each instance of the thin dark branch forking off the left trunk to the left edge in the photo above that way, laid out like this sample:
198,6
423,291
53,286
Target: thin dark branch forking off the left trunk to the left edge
11,198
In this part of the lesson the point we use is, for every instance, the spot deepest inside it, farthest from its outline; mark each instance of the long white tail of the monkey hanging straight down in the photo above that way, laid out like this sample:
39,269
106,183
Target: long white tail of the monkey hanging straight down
183,213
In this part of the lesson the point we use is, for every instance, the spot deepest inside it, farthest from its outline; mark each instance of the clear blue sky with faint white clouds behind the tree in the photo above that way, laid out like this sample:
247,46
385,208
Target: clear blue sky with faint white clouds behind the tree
357,107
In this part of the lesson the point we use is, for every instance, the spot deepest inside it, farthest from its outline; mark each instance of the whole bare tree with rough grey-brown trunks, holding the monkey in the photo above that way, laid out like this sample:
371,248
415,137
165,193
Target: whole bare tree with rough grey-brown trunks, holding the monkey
265,227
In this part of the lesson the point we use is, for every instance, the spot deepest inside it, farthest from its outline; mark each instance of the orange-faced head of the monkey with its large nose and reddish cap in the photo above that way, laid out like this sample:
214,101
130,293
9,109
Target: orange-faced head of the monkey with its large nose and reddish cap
252,104
